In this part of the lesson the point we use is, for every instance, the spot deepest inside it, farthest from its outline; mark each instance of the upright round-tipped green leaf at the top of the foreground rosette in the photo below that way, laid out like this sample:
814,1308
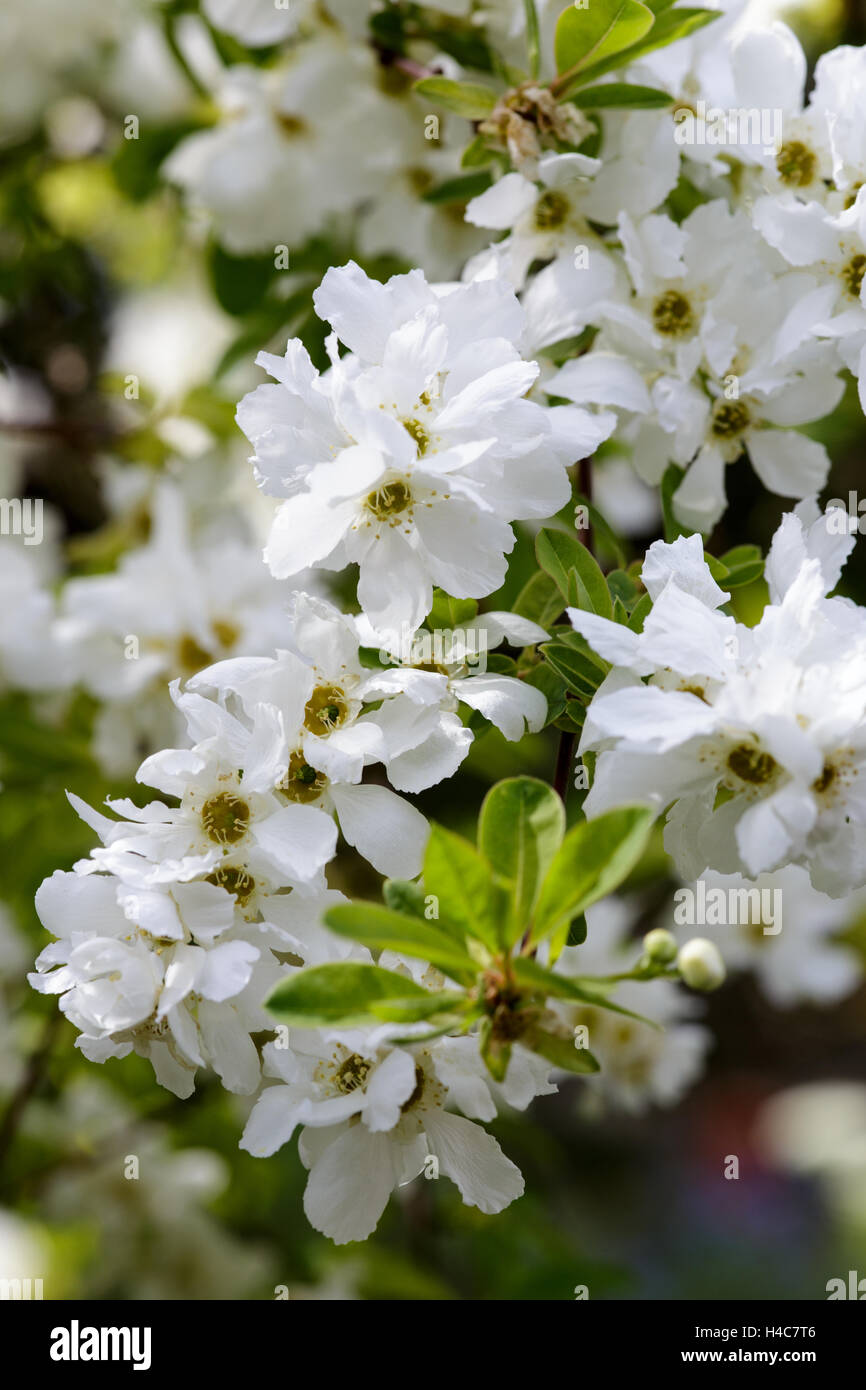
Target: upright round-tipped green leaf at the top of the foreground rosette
521,828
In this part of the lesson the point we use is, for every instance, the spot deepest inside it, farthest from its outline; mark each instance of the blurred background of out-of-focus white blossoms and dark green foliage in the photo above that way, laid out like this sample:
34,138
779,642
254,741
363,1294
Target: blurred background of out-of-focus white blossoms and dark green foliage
134,297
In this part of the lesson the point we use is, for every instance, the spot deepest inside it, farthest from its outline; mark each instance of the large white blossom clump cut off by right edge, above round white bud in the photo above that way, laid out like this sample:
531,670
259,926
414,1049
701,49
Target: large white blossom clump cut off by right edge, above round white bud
774,717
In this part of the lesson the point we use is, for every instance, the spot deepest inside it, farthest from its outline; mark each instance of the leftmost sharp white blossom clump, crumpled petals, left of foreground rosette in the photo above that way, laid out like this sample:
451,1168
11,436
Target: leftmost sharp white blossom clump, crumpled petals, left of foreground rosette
145,972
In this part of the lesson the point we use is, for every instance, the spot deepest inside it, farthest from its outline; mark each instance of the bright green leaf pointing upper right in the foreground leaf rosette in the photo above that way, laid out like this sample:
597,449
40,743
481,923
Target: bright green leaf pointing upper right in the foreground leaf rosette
593,861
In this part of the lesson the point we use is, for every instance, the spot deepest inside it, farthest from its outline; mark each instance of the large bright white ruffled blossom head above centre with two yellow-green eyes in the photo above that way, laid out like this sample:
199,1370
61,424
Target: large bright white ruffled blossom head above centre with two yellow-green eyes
412,455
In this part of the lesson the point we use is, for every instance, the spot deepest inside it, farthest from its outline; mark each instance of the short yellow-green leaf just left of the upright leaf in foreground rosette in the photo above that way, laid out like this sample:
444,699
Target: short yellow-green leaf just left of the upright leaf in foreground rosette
464,883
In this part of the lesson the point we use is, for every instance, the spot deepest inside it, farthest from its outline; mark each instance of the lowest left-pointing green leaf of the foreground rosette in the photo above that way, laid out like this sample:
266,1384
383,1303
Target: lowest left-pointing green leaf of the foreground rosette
345,993
